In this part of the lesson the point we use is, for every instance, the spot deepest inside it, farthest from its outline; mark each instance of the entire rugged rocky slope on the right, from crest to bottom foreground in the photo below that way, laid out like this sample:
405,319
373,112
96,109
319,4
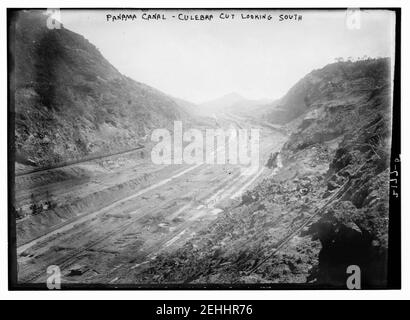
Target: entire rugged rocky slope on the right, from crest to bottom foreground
326,209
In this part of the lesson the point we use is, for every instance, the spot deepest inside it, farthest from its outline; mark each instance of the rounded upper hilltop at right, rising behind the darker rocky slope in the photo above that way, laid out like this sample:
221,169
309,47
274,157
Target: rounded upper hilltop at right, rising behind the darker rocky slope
335,82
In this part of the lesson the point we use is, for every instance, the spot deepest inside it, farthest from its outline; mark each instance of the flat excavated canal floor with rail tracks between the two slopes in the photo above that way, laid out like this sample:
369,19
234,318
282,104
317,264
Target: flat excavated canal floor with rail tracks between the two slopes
111,217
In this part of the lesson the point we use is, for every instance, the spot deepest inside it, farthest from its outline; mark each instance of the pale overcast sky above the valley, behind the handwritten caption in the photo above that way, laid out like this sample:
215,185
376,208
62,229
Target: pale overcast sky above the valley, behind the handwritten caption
202,60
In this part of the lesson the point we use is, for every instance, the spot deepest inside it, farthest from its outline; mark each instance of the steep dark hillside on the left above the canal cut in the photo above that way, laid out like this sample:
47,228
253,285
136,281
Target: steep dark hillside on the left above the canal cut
71,102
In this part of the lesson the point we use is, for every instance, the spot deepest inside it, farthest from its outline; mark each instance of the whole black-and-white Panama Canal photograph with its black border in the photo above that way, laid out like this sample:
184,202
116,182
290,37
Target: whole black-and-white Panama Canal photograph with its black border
203,149
